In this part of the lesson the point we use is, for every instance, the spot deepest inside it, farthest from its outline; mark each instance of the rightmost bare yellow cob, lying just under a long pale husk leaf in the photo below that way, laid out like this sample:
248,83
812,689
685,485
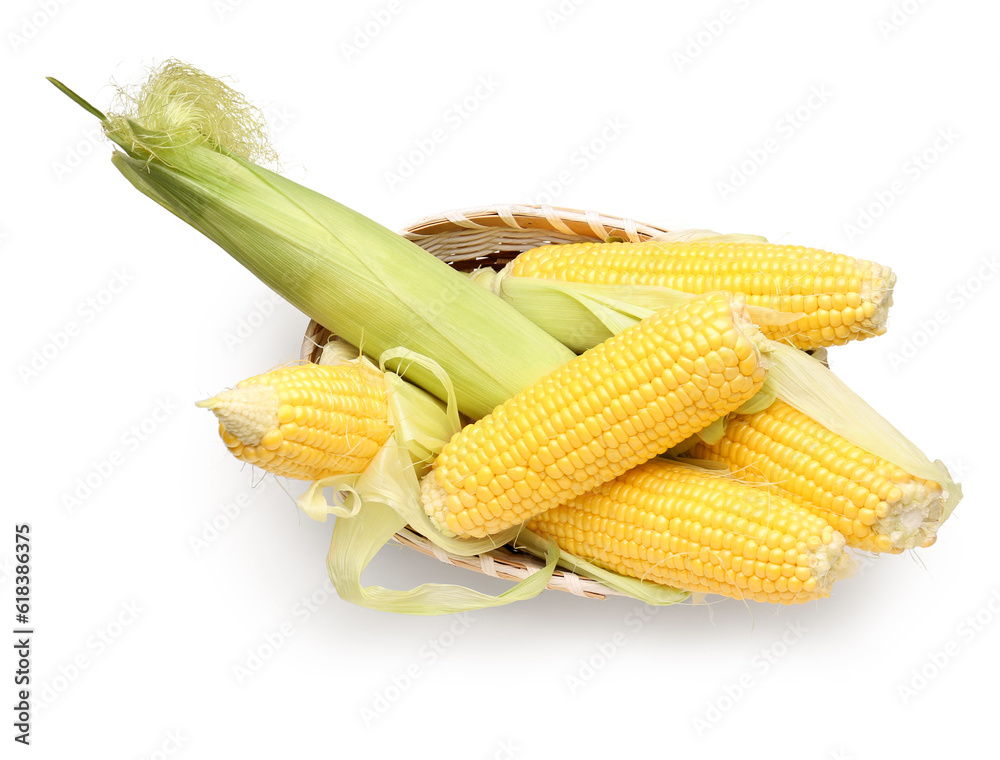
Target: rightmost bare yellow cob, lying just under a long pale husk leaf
878,506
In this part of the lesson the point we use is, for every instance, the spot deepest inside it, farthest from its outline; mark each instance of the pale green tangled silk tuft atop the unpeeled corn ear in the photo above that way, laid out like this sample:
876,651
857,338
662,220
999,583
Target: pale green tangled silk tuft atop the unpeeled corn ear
192,107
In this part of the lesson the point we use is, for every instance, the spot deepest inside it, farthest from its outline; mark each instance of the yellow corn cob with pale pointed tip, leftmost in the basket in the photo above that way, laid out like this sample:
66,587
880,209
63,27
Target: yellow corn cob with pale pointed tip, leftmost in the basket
306,421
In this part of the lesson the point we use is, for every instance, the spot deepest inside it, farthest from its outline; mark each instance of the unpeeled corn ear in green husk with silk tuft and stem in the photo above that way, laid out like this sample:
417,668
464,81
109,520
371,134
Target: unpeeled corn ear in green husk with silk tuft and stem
189,142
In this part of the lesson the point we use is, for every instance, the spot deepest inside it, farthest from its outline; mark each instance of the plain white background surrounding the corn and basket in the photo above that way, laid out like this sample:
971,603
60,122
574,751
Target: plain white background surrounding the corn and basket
632,108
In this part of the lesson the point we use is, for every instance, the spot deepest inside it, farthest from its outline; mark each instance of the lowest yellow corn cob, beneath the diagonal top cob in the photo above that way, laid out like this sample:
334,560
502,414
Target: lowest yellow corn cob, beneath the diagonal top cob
700,531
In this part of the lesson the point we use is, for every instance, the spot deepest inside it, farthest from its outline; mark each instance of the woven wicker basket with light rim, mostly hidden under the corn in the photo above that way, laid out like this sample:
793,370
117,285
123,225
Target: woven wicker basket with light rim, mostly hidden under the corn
492,236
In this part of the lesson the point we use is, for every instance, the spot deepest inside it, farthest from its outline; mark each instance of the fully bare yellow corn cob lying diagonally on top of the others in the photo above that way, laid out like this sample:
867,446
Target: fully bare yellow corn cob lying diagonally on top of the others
619,404
